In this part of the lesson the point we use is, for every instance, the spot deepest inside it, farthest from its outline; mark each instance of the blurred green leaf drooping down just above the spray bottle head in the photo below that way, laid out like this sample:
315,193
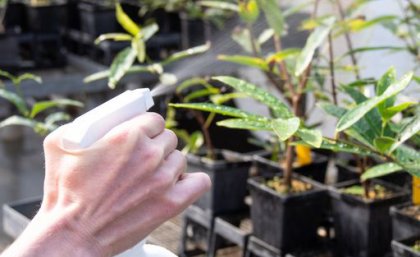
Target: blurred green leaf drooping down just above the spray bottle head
120,66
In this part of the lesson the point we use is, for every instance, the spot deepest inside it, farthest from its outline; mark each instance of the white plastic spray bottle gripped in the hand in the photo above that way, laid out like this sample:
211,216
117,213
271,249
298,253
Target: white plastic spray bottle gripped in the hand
93,125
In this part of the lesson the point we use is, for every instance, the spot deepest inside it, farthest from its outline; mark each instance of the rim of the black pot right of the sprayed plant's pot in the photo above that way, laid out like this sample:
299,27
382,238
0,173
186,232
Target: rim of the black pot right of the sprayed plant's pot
337,194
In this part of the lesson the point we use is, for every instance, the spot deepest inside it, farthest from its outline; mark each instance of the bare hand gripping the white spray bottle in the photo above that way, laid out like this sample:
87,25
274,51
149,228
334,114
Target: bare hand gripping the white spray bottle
102,200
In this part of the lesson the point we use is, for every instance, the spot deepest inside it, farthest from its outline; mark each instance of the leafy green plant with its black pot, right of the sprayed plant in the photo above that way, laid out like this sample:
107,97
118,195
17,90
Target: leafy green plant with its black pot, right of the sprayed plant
368,127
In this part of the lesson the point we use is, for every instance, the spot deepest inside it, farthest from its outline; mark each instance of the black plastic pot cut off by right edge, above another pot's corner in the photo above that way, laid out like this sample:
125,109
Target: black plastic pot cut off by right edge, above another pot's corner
403,226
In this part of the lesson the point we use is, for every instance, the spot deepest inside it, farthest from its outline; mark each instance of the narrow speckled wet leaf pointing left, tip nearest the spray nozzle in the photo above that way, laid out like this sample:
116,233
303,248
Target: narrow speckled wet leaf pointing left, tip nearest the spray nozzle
220,109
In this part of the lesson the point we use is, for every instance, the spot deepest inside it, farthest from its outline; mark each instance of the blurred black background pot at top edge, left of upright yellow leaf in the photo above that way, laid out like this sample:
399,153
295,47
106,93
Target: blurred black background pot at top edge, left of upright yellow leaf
96,19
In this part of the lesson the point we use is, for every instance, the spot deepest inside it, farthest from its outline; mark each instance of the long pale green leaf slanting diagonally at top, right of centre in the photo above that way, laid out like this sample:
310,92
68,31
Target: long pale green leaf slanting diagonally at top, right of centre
314,41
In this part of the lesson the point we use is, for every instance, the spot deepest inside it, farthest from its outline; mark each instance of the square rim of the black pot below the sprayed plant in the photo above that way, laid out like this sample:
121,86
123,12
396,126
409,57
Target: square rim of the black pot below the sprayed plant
257,182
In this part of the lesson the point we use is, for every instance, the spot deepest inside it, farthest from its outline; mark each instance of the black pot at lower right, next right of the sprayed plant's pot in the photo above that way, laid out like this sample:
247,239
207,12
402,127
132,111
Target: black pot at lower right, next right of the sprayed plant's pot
363,228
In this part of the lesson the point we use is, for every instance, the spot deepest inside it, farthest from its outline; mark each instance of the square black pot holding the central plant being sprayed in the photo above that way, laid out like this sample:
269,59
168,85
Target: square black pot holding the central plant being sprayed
287,222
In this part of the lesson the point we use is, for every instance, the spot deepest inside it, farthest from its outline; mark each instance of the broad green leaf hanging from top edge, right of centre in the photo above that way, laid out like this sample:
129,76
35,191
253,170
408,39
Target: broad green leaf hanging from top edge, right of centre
273,15
